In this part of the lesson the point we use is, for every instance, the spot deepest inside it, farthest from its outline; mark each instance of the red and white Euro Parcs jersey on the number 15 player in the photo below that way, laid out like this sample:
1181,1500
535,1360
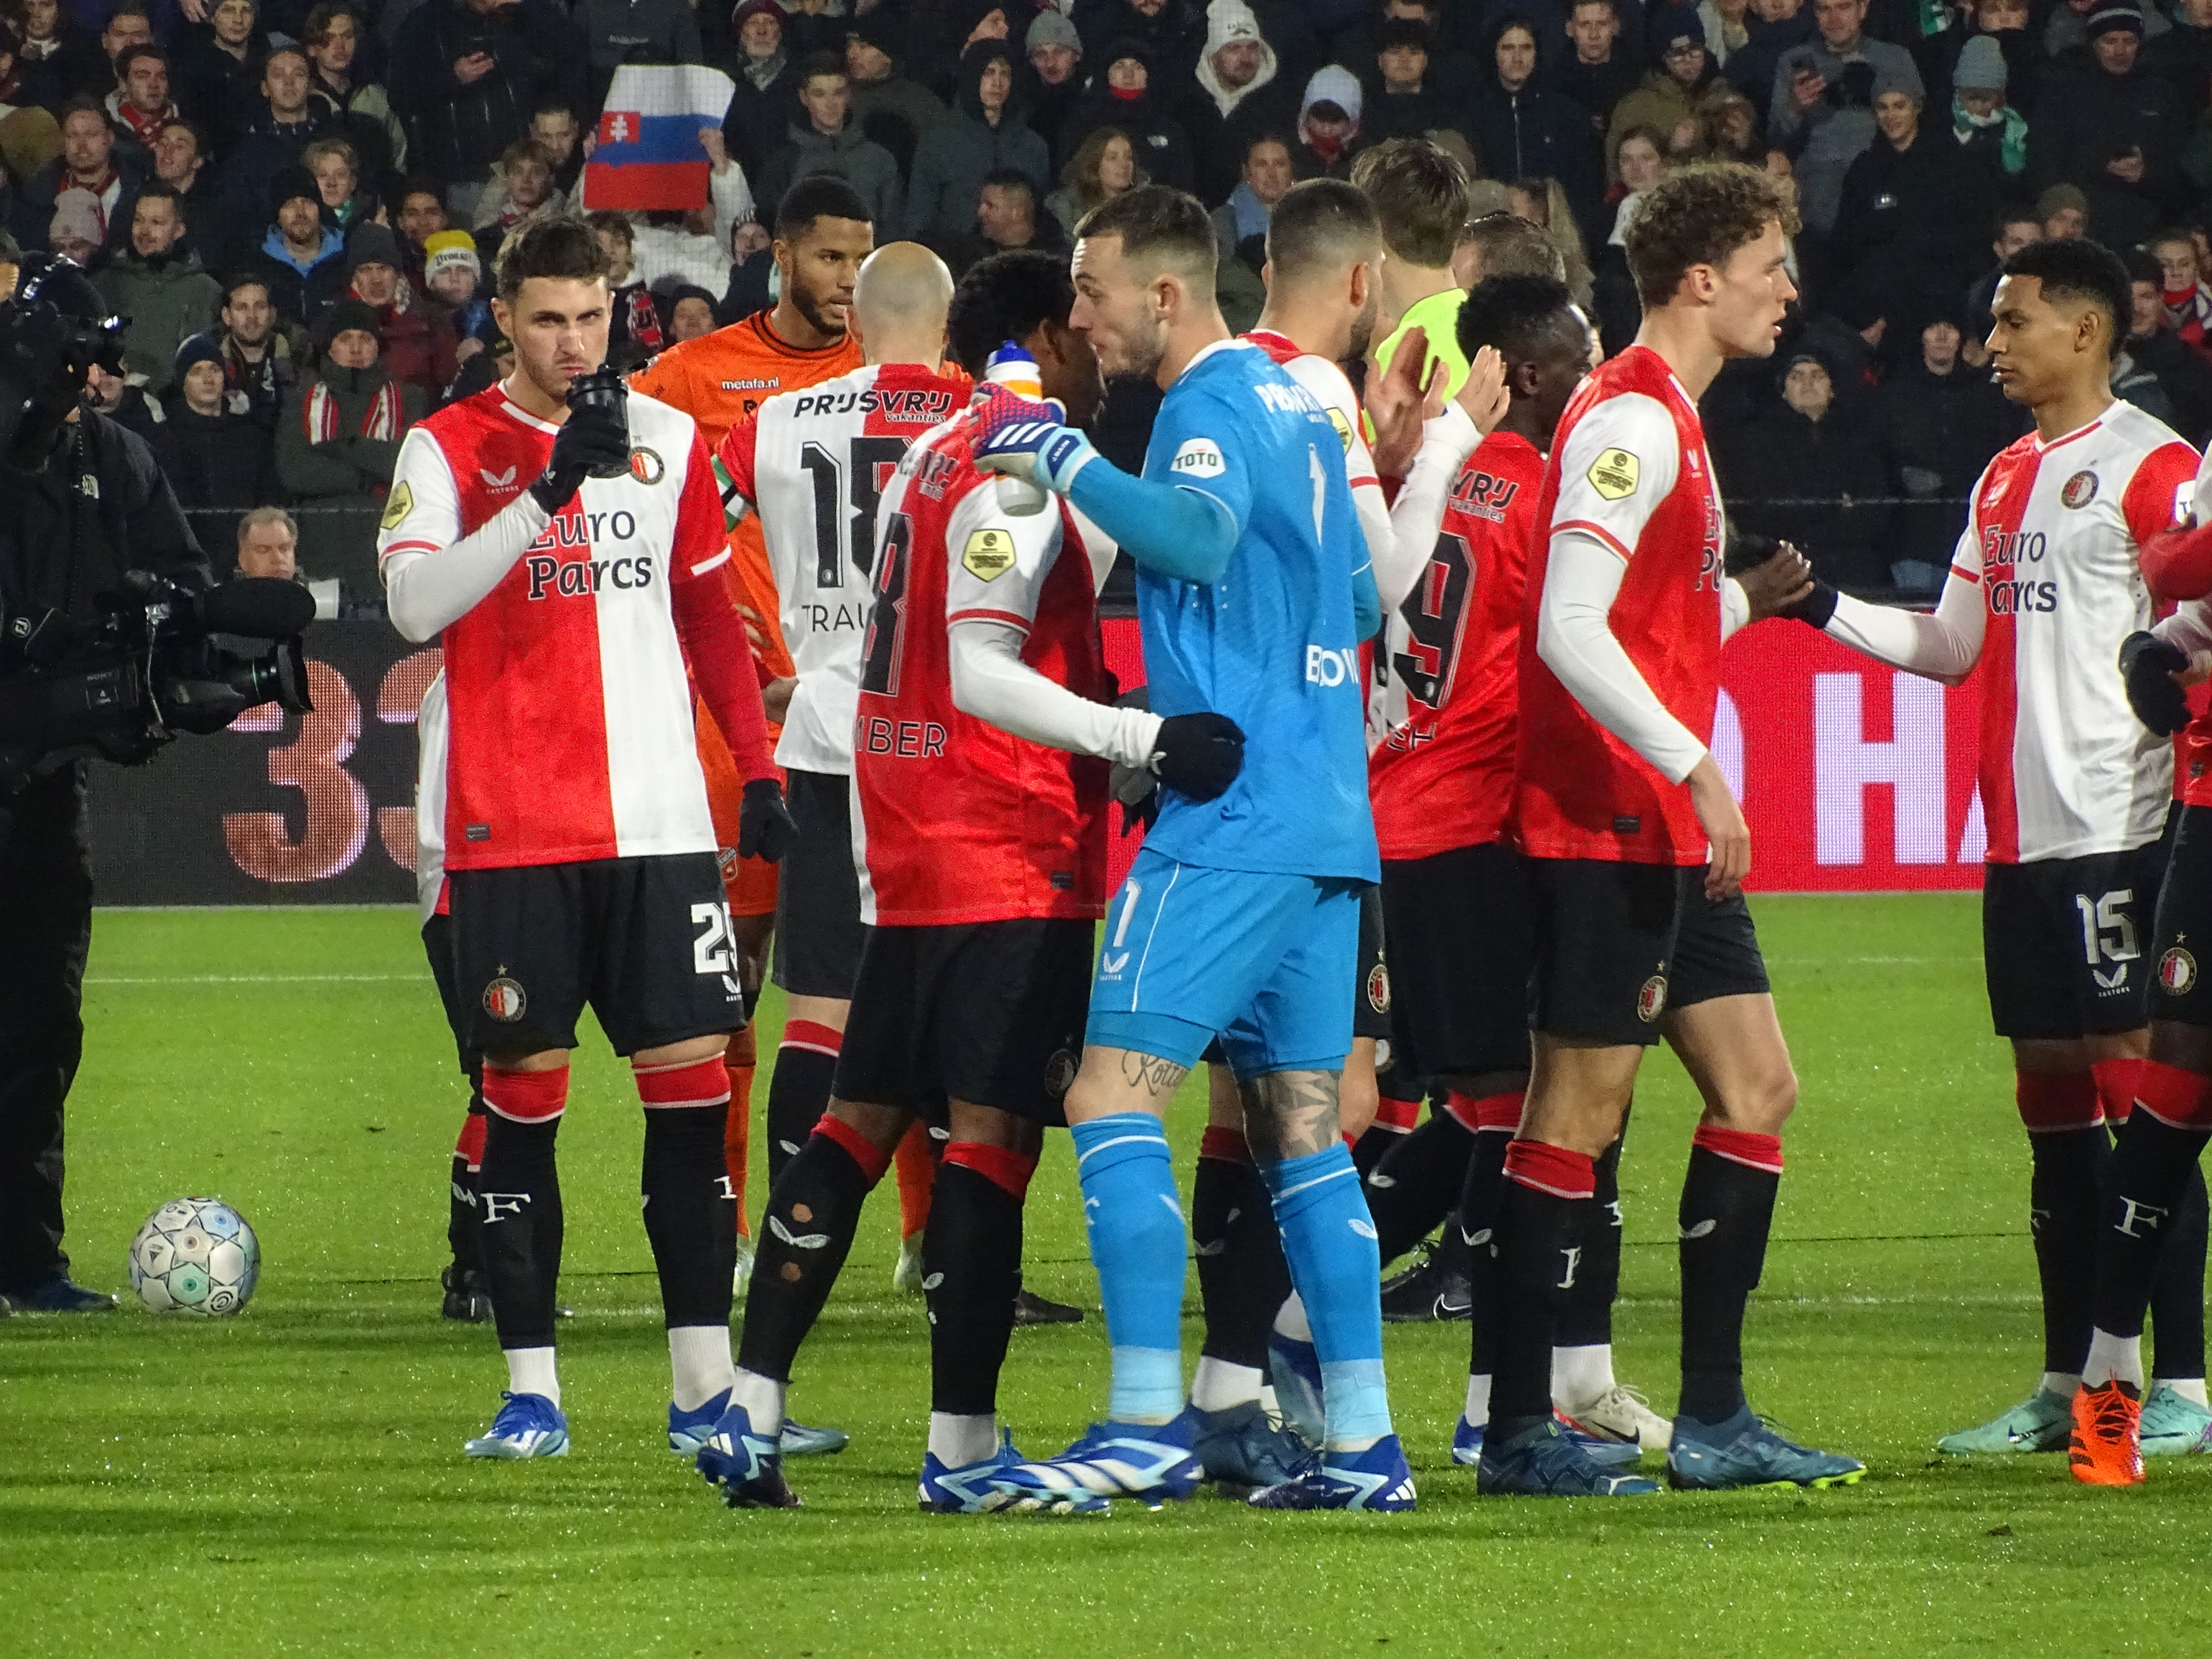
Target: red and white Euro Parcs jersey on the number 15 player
2054,536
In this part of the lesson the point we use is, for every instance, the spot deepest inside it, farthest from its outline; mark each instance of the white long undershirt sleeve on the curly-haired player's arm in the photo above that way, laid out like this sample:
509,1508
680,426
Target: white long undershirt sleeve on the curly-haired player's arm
1576,643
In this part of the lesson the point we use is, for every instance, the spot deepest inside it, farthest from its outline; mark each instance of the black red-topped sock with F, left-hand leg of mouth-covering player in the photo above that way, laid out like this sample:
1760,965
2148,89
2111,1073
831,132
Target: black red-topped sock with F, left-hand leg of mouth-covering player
519,1202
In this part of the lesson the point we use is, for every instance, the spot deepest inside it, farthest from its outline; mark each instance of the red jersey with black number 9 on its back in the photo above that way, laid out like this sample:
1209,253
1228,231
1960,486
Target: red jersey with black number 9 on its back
1443,778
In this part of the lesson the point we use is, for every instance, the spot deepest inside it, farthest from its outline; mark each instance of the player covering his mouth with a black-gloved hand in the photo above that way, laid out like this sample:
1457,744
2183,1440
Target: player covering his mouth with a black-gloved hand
559,552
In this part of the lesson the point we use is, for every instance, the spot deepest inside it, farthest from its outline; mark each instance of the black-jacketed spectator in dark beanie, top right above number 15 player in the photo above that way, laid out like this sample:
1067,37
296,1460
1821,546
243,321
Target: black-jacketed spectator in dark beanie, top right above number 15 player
2114,129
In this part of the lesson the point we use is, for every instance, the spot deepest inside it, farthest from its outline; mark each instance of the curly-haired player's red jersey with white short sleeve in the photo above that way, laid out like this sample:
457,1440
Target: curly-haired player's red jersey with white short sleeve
1629,466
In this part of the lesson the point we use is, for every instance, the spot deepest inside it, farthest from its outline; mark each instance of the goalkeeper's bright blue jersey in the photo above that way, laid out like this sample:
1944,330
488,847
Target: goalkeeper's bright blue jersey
1273,645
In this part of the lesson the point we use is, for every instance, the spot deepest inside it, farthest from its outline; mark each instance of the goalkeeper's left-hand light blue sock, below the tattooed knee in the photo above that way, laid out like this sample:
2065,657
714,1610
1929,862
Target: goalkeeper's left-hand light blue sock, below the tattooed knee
1138,1244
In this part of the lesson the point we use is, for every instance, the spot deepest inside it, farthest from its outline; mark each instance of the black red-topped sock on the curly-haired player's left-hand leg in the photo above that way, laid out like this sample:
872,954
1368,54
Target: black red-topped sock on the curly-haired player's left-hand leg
1541,1218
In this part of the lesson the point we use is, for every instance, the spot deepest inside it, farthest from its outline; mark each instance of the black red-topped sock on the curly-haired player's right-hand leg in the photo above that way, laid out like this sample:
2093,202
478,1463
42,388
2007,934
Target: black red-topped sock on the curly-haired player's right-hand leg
1726,1213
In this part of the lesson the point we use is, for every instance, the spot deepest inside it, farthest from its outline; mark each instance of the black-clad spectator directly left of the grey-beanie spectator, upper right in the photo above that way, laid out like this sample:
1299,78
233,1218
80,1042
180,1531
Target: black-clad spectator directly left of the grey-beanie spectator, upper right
1906,222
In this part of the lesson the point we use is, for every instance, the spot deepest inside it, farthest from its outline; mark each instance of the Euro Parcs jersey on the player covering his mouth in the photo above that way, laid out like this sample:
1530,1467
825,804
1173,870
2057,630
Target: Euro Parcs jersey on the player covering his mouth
567,707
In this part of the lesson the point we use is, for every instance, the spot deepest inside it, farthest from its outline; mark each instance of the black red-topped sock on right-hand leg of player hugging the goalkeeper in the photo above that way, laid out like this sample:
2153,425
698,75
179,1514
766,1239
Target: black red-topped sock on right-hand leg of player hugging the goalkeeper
972,1266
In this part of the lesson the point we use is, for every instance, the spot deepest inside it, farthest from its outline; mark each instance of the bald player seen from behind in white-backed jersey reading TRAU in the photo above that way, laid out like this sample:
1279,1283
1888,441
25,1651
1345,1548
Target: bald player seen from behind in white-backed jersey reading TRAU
813,466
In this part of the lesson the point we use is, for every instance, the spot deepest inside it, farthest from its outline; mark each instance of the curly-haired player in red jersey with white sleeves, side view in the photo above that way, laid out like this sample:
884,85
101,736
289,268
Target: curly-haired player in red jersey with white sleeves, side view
1640,930
